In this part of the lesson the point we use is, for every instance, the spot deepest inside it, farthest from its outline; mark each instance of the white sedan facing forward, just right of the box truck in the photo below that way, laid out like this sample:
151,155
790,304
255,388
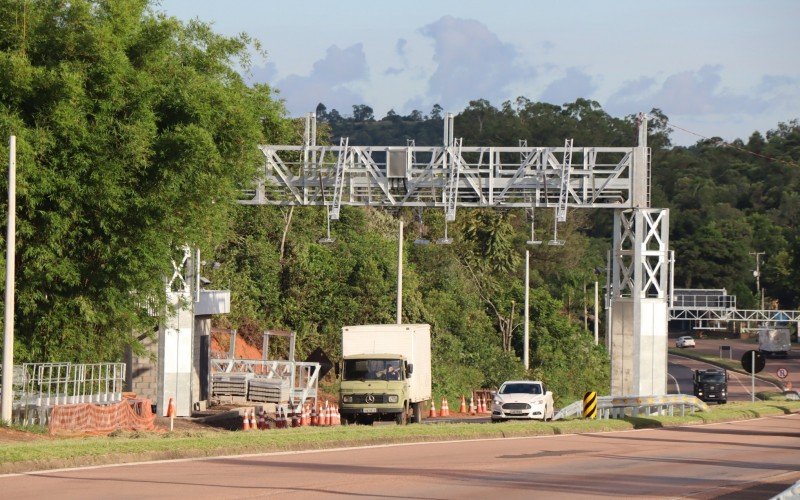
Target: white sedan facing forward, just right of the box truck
522,399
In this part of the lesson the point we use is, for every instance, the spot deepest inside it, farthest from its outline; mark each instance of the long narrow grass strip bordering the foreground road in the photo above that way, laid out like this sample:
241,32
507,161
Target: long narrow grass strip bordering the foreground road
131,447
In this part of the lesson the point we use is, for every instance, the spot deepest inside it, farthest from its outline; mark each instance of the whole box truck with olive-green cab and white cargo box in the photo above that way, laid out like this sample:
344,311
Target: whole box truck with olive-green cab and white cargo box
385,373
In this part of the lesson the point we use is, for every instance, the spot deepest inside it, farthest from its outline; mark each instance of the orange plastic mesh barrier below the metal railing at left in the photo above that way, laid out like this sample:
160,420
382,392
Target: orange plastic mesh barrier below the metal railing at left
87,418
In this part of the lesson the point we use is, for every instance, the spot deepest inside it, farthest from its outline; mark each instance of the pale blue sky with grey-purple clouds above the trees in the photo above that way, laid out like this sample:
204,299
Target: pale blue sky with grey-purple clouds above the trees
721,68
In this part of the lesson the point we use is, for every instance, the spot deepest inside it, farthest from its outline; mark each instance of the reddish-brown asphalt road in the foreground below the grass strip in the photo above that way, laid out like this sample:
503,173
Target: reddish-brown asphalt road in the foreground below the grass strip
750,459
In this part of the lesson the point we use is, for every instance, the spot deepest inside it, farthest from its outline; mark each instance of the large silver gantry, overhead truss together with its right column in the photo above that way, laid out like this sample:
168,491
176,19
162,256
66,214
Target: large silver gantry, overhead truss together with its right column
453,176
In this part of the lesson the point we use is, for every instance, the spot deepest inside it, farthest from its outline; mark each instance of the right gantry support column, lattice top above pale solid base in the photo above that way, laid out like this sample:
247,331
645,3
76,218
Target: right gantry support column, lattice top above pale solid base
639,307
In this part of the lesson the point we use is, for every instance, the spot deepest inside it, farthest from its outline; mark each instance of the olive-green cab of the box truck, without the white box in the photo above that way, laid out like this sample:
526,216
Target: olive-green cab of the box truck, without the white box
374,387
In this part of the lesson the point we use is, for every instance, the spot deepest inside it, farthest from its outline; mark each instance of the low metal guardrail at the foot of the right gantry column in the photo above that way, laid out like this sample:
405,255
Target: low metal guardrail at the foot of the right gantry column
637,406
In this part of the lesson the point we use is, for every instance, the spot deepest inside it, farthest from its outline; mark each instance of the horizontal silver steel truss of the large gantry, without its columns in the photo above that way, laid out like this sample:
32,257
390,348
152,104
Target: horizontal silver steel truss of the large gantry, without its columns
452,176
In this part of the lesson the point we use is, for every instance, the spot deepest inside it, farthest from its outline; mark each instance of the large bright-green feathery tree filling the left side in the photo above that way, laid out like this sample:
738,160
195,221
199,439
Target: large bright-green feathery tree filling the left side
135,134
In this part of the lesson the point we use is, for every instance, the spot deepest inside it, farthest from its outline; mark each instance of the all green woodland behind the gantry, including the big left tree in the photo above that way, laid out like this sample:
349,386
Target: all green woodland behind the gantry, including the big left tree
136,132
